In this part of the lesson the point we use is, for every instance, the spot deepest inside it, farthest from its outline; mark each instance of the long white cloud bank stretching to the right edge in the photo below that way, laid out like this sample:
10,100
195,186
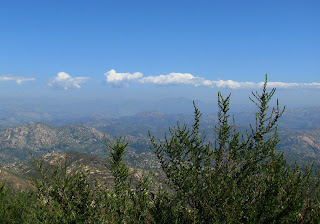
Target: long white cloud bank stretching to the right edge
124,79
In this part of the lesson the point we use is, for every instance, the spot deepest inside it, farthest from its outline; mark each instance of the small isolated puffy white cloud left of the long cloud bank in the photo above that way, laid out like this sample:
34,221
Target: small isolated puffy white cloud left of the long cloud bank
65,81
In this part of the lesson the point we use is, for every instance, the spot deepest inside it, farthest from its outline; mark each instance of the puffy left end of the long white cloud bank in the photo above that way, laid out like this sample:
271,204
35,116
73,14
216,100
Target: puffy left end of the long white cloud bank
121,79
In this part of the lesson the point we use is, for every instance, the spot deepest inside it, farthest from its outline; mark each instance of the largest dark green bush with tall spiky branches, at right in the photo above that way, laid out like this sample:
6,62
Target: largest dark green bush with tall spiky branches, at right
236,178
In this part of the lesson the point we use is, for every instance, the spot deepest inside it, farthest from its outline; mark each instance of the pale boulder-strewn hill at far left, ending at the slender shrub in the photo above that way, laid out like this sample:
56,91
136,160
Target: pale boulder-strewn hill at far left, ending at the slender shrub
16,143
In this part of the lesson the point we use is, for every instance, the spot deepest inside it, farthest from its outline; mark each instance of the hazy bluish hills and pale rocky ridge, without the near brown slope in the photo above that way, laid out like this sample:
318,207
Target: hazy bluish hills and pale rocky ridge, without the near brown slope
298,132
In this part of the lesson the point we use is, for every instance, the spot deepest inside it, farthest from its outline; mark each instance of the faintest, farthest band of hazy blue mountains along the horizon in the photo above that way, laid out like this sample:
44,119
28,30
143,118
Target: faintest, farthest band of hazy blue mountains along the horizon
298,118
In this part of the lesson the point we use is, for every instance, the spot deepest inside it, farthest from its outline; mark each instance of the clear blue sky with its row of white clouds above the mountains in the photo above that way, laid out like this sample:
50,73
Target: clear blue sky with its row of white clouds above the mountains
124,50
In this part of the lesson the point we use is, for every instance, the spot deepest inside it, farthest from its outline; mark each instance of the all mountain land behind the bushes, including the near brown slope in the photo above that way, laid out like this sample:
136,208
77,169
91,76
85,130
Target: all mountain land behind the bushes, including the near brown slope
87,140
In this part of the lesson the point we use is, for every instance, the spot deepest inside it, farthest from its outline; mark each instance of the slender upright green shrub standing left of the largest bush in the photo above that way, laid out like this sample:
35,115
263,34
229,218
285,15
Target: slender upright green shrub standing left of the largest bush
127,203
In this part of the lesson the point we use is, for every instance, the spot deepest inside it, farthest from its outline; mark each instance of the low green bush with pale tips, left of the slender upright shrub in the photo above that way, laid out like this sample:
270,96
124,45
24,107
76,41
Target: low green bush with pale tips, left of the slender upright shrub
63,196
